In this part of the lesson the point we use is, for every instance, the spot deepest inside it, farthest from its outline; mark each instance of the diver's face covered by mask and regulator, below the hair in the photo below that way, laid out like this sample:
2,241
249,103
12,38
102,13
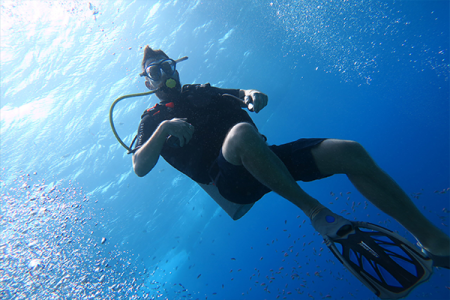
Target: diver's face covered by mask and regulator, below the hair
158,70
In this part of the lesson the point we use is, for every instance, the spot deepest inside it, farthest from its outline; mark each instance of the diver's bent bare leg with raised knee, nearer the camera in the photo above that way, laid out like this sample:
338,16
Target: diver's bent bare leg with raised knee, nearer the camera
245,146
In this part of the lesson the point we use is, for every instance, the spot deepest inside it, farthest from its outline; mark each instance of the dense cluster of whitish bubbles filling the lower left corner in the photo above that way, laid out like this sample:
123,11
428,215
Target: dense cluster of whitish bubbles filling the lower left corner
51,246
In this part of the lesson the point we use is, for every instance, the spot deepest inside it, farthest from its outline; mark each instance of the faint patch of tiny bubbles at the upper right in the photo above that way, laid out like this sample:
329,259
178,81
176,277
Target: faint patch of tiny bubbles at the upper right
351,38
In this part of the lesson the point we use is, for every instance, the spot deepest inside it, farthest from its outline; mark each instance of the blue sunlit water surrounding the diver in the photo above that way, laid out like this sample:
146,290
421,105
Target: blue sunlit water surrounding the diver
77,223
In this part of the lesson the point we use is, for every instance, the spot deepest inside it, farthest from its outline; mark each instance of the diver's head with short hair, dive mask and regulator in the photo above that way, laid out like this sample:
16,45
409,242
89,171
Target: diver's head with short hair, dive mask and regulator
160,73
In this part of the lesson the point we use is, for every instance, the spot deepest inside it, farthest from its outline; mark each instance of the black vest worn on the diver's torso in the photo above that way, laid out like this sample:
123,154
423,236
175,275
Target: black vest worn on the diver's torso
210,113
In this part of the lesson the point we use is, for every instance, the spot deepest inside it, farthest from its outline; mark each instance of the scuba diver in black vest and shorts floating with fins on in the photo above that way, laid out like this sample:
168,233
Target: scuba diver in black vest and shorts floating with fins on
205,133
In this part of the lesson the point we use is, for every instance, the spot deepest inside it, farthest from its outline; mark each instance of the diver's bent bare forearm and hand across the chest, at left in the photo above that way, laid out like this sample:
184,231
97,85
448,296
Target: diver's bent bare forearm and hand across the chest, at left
146,157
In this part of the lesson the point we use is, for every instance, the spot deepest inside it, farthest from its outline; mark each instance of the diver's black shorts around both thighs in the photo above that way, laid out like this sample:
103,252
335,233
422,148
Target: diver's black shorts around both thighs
237,185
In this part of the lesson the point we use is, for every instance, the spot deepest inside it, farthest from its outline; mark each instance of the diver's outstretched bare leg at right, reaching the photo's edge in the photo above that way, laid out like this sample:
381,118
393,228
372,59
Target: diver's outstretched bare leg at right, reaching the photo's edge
347,157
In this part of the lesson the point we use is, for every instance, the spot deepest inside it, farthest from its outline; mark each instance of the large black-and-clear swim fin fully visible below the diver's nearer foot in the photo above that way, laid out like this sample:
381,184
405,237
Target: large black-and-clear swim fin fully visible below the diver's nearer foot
388,264
